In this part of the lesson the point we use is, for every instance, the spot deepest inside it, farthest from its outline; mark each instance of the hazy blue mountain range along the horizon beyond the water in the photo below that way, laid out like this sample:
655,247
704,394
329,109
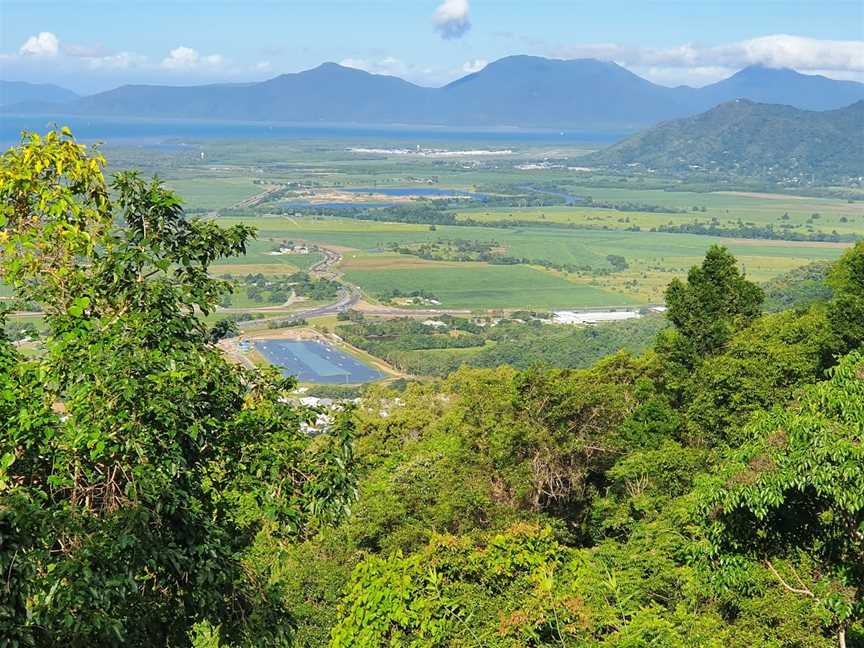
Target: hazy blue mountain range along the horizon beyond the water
516,91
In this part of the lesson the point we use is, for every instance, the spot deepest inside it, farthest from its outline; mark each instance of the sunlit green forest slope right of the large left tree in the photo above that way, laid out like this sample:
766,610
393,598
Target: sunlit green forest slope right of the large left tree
652,528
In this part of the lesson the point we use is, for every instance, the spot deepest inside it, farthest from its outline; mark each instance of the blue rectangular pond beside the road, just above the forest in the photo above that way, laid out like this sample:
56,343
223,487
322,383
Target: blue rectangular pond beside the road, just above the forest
316,362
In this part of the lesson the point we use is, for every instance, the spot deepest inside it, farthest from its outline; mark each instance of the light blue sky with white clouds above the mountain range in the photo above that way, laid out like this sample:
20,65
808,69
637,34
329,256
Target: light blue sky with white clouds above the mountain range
94,45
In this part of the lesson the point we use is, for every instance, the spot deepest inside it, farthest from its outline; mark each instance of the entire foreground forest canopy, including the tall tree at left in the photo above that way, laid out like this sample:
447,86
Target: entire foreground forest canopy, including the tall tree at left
708,492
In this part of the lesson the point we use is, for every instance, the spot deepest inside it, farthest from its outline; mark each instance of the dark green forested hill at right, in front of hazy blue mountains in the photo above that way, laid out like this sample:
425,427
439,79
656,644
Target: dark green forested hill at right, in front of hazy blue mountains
747,138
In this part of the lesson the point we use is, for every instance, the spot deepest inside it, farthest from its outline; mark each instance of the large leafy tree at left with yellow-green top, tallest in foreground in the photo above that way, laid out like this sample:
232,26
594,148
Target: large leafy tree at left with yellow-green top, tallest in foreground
136,464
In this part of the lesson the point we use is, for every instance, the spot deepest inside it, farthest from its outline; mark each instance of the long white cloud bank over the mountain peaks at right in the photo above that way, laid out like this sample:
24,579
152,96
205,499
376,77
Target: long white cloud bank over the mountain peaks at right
696,62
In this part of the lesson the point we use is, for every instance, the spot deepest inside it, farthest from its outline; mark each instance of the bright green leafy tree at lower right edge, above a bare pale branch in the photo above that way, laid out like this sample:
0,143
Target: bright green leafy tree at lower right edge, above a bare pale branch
791,501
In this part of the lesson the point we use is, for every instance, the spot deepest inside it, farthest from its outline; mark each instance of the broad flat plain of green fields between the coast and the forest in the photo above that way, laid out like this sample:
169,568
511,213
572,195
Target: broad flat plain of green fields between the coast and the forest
221,175
